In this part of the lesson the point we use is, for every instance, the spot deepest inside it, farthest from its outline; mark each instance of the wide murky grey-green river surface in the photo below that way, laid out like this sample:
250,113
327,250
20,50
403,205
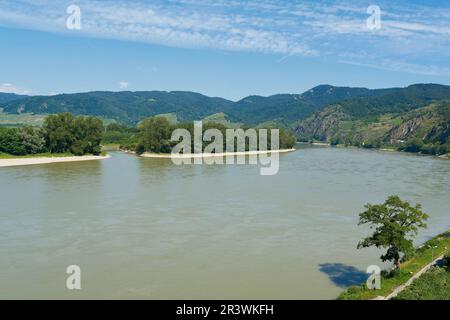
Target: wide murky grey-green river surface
145,228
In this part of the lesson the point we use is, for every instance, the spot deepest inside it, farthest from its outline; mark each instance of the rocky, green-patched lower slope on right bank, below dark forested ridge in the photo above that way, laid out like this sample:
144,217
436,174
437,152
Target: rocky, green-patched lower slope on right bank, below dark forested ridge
428,125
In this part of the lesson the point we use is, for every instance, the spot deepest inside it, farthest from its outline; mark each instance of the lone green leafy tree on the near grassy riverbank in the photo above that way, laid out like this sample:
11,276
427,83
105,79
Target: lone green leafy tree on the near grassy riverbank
396,223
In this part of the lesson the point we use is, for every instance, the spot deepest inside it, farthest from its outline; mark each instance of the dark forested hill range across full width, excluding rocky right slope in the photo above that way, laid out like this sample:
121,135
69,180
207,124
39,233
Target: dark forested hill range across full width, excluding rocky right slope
131,107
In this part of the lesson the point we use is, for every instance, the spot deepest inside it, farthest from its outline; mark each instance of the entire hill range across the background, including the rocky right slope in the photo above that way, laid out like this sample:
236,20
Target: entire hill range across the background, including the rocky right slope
415,118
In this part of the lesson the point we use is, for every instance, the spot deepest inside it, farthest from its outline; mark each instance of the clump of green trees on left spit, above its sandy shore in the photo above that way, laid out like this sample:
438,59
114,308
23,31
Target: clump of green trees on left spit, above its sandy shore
61,133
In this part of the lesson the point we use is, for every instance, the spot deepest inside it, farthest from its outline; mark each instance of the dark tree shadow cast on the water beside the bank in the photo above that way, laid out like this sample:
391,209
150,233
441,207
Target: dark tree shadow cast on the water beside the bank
343,275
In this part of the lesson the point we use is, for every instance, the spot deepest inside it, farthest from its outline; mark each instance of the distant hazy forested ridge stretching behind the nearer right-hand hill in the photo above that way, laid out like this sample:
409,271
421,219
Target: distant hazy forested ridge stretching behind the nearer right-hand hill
132,107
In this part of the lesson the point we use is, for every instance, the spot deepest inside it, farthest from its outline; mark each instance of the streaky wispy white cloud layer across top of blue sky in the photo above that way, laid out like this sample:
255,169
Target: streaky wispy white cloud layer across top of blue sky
288,28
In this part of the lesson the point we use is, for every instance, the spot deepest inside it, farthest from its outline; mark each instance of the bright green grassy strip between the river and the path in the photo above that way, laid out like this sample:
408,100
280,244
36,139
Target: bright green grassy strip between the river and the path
389,281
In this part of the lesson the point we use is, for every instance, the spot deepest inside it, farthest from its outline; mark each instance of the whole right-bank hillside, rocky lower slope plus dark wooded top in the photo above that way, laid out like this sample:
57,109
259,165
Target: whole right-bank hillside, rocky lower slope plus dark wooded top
406,120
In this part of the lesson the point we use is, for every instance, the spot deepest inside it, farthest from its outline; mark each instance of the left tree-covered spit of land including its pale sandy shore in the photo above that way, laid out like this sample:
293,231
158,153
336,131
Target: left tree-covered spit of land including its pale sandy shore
62,138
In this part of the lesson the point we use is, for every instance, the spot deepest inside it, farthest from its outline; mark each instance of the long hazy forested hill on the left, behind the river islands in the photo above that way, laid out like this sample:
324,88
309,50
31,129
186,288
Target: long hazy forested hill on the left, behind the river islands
128,107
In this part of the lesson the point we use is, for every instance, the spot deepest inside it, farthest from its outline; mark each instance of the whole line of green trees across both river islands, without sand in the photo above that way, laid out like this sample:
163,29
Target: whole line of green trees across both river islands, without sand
66,133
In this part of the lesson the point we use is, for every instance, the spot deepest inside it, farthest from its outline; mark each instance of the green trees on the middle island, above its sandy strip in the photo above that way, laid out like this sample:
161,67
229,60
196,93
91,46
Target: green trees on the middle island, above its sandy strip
154,135
